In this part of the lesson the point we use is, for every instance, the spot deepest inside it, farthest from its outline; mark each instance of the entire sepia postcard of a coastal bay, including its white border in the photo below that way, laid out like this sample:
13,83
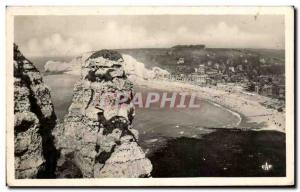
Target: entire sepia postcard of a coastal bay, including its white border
150,96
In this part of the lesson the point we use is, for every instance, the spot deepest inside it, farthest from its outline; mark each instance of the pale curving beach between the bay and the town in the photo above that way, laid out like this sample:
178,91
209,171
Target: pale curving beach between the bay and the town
253,115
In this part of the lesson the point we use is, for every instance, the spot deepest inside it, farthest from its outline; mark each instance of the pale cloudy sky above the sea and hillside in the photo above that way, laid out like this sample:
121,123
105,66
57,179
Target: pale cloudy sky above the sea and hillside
73,35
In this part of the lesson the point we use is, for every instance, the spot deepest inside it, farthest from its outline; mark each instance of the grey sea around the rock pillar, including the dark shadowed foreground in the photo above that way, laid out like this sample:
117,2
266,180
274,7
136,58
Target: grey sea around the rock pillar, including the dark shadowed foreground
201,142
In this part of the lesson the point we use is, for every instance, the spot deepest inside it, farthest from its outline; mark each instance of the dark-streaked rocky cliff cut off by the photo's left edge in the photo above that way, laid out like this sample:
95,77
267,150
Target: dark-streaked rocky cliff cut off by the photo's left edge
35,155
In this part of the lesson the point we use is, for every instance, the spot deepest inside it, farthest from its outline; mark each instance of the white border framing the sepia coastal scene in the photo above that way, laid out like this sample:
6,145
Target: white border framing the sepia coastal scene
288,12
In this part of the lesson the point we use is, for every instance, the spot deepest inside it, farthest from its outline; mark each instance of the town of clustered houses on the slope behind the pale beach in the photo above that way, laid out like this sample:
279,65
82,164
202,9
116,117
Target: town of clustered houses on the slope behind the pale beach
262,75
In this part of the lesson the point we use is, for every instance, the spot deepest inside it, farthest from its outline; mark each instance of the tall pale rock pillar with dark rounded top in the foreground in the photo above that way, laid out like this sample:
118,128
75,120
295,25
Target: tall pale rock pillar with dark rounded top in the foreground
96,138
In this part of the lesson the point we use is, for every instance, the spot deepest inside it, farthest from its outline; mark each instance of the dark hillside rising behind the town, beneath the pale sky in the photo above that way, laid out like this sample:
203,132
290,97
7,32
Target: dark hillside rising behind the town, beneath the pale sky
252,62
